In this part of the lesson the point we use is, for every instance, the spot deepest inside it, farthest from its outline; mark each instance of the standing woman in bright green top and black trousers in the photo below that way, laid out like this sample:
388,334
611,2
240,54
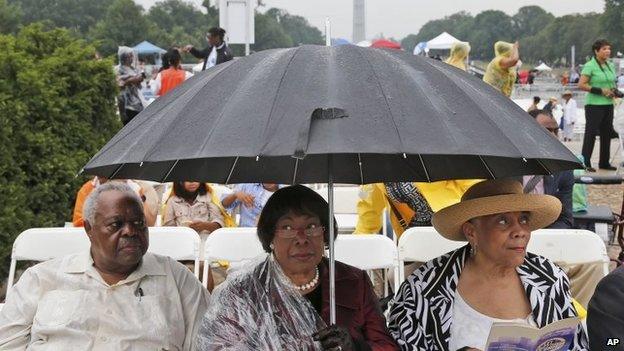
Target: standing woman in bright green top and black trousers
598,78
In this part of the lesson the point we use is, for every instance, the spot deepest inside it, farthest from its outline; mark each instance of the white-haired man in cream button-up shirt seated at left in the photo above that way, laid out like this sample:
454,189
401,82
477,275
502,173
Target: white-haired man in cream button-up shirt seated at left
114,296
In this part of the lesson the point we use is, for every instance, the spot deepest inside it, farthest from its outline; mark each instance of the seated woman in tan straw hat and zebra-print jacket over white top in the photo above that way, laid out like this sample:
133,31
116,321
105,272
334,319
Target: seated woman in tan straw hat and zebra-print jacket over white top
451,302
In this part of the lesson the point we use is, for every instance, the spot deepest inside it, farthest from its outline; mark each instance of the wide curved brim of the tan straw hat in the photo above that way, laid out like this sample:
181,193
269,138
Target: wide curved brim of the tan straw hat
544,210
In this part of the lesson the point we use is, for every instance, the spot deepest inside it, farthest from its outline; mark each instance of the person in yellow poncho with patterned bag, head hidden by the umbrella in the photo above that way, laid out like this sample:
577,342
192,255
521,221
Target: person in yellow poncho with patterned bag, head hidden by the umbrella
409,204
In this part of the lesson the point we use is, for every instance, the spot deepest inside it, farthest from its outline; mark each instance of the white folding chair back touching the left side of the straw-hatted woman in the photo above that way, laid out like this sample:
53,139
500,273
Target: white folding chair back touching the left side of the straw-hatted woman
423,244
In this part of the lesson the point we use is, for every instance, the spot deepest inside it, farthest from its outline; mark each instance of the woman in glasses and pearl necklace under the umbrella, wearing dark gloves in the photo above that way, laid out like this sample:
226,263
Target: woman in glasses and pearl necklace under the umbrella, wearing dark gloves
282,302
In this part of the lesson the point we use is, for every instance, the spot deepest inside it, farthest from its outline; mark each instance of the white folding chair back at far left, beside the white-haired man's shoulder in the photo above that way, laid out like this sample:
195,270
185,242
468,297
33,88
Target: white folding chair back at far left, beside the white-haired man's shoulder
42,244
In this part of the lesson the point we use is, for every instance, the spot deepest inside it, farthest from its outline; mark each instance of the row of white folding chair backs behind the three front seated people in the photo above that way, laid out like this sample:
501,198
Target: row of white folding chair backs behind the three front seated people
366,252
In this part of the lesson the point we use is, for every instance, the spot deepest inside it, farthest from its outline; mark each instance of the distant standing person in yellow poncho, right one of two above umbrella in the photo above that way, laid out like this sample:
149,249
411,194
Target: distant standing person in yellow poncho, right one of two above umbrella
500,72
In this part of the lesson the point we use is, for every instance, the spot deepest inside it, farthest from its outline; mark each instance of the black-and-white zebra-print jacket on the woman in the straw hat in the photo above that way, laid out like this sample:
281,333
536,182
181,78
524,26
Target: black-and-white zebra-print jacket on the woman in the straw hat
421,312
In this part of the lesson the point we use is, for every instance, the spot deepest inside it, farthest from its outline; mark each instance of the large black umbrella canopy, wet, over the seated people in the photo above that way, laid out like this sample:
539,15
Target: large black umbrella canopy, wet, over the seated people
362,115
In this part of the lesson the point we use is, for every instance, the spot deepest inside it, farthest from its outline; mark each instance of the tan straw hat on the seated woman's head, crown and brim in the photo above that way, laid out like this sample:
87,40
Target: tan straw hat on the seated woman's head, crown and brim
492,197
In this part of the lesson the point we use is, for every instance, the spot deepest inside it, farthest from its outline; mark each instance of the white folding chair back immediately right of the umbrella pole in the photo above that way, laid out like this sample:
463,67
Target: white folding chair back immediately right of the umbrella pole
366,252
